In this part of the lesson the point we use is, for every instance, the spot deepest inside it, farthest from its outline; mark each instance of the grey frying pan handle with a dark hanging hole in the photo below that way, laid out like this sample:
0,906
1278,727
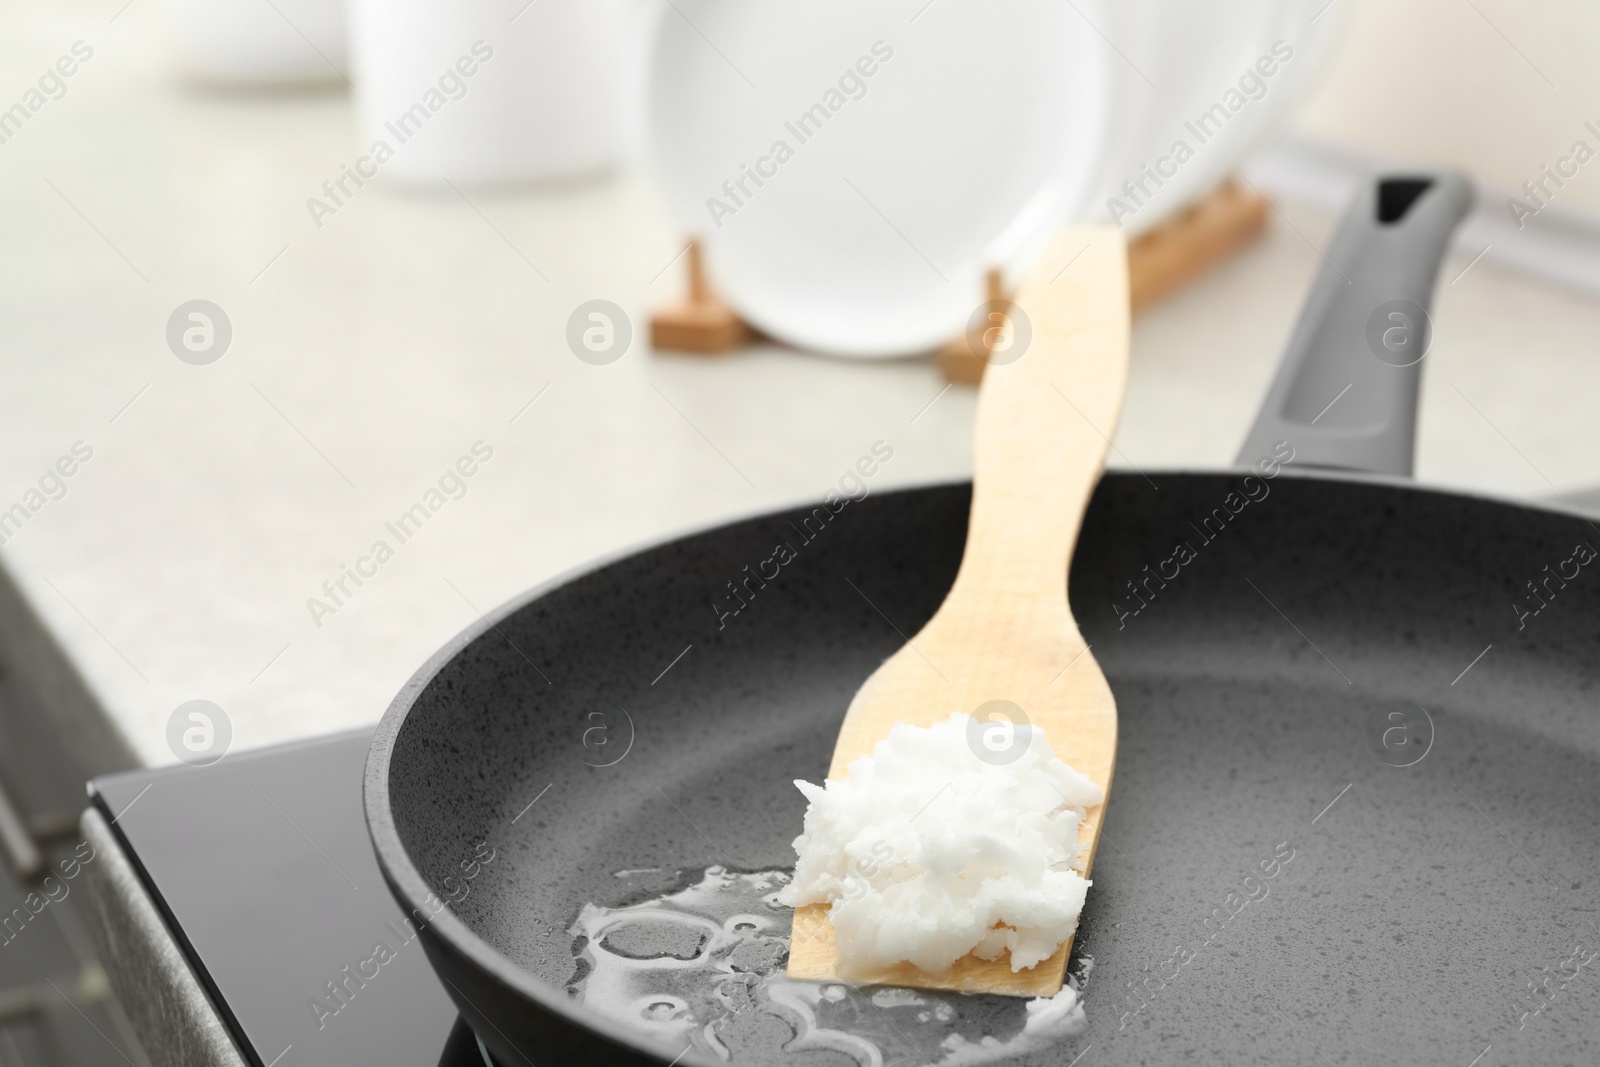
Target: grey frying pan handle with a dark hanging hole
1345,394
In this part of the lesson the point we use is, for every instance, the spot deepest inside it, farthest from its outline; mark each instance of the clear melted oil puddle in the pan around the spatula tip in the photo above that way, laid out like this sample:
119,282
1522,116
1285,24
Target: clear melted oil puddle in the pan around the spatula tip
703,967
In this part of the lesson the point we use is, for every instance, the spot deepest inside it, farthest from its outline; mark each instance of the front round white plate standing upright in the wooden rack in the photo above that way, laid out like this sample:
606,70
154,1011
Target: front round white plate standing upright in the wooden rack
868,234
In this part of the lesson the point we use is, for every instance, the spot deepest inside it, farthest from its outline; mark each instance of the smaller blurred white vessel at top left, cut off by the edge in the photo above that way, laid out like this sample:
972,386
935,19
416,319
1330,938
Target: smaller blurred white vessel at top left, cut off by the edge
254,42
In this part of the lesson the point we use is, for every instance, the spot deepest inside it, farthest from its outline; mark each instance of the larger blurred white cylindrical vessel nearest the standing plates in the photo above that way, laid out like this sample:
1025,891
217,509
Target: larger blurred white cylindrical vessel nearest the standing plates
484,92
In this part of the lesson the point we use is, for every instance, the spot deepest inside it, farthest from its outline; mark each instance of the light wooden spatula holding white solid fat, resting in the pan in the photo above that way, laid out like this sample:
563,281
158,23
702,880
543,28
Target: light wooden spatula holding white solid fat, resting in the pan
1006,633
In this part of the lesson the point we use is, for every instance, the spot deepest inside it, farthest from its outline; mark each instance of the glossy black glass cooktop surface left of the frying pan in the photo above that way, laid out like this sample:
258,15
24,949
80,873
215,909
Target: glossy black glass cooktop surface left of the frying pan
266,877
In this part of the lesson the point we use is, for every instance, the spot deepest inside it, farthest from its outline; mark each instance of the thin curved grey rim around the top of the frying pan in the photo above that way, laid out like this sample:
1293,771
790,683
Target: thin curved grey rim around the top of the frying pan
407,881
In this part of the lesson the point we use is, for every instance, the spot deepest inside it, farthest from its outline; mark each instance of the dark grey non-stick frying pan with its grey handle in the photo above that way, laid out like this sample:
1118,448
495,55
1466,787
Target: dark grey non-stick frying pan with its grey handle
1356,804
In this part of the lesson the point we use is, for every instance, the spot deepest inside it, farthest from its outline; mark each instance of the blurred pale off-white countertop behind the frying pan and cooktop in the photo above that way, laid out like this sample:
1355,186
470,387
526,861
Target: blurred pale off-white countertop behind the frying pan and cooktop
375,351
